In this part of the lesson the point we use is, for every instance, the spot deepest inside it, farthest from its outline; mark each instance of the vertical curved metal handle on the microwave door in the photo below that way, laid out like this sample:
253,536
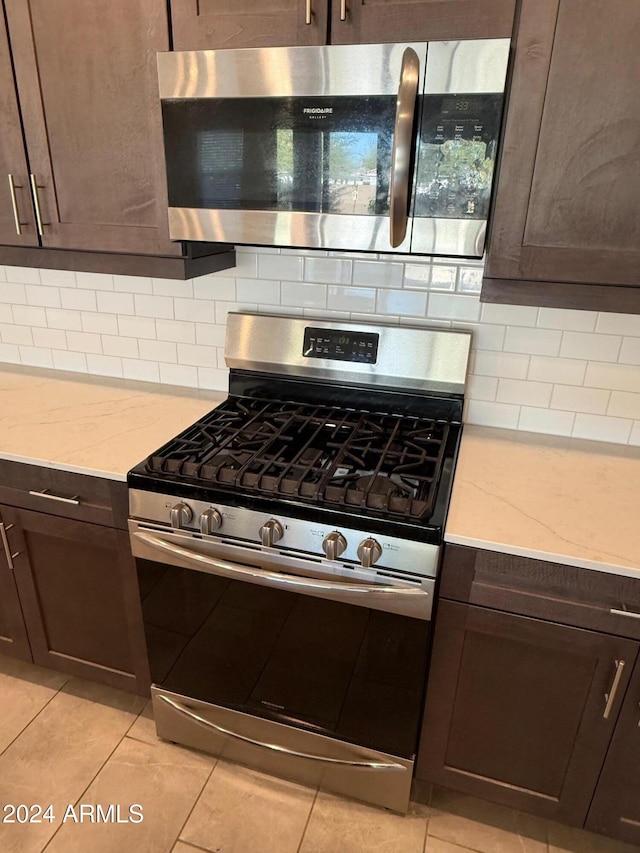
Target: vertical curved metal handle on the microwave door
402,139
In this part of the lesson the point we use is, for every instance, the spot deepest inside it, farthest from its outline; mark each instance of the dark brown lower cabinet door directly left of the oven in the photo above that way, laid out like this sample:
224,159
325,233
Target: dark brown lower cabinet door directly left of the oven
78,588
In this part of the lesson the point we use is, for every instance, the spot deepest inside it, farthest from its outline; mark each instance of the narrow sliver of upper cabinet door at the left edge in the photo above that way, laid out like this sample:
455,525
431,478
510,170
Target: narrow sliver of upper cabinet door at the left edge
17,224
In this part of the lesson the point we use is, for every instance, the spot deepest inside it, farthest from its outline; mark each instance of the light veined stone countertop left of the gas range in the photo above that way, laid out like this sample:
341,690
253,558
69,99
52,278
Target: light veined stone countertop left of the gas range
89,424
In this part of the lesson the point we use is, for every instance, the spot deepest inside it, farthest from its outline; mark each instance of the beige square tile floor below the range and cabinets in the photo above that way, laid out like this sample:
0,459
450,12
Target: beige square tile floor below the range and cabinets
66,743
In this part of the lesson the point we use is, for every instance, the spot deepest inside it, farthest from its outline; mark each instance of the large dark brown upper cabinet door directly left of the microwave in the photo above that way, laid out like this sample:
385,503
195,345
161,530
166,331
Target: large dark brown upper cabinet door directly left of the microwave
87,87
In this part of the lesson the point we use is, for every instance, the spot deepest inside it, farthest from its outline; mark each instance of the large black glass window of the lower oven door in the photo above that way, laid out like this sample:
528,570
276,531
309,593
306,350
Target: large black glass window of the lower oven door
337,669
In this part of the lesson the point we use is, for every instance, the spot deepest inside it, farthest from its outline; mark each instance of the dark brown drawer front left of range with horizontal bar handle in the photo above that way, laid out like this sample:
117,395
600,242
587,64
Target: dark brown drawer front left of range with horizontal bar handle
64,493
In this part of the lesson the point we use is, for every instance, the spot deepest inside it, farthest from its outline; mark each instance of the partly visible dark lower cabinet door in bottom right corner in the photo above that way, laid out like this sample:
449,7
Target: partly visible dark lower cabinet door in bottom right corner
615,809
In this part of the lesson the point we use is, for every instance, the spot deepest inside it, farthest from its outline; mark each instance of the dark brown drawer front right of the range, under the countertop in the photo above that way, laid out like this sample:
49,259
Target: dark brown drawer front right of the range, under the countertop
584,598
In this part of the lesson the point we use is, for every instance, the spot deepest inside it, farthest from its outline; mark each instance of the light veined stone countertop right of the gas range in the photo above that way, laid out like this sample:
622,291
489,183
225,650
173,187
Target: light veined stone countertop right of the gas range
560,499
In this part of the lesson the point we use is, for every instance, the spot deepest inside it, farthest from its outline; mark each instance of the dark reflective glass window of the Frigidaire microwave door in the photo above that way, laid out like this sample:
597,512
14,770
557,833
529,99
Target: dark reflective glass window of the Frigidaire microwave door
329,155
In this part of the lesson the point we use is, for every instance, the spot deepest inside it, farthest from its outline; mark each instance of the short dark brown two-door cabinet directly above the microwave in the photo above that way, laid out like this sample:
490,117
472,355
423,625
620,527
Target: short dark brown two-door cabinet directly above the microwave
207,24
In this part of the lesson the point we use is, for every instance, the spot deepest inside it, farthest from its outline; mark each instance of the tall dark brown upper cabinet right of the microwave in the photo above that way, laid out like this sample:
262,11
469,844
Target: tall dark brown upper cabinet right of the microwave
565,230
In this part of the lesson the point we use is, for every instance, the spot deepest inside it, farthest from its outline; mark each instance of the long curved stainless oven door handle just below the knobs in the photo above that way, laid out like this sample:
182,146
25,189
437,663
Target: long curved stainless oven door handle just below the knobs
224,568
